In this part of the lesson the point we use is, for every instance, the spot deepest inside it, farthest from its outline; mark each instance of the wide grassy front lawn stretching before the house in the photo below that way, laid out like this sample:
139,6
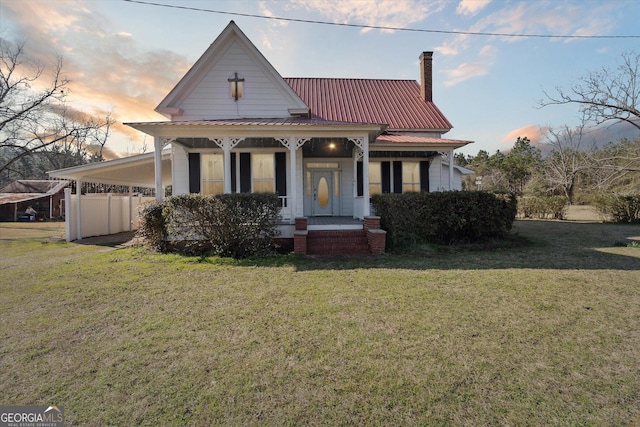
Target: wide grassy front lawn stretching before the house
542,334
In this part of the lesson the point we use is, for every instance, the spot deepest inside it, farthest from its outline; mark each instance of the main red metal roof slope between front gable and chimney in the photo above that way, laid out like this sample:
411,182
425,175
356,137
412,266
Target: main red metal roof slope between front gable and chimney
396,103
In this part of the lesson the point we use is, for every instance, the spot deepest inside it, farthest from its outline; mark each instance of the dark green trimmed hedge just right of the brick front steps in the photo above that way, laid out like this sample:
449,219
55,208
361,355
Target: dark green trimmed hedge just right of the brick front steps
444,217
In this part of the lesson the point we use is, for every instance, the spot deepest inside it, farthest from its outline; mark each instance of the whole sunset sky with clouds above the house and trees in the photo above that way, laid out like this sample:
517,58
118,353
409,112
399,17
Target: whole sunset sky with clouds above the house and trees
126,56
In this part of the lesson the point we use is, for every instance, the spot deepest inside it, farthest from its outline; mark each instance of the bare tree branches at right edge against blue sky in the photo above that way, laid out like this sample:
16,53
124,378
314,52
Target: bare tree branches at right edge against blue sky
605,94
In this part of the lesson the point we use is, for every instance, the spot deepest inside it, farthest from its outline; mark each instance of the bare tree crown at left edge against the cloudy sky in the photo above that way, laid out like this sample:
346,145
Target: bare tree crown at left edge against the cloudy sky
33,114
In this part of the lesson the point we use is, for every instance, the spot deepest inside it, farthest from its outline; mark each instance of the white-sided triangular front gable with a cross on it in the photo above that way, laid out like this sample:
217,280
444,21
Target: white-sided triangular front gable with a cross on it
204,93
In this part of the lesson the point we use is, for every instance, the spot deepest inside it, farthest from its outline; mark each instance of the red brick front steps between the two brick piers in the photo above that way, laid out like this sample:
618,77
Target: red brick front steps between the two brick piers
353,242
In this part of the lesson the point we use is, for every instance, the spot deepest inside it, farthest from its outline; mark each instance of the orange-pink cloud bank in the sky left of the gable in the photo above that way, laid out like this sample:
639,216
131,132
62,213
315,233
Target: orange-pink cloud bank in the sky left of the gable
108,71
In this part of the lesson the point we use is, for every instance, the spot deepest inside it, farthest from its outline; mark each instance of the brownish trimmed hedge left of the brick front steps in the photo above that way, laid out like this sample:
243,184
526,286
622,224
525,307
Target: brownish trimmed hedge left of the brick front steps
235,225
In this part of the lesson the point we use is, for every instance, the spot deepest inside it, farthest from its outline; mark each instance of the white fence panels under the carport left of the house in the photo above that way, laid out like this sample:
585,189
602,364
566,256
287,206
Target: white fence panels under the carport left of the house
100,214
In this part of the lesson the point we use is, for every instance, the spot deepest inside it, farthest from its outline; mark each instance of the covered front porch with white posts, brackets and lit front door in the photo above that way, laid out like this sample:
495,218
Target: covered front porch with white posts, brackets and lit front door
317,168
